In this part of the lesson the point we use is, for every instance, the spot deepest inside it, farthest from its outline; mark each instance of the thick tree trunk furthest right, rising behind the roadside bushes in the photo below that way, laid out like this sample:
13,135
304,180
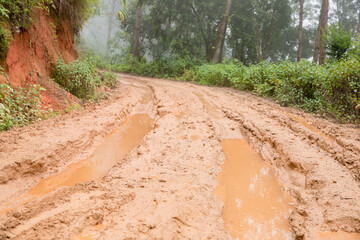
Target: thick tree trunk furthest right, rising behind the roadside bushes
320,51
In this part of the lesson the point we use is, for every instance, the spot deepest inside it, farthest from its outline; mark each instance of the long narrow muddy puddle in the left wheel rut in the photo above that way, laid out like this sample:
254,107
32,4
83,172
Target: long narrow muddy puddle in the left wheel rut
116,146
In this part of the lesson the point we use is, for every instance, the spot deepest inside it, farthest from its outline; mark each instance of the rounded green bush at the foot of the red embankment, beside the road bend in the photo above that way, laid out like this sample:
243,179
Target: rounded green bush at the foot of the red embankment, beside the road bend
80,77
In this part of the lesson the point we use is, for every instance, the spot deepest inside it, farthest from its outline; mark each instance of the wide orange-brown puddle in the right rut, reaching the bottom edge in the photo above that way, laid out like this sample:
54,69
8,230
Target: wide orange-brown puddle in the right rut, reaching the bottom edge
255,207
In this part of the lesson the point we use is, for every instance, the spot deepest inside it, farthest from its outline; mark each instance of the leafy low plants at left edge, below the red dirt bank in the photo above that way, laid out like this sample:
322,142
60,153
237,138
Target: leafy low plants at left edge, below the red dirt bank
20,106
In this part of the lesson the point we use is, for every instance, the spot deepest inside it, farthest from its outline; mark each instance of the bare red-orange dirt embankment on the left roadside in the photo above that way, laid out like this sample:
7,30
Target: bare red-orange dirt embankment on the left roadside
32,52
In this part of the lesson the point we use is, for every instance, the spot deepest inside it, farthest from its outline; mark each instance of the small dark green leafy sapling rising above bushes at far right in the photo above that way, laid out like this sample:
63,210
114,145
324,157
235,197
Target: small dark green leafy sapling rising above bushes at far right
338,41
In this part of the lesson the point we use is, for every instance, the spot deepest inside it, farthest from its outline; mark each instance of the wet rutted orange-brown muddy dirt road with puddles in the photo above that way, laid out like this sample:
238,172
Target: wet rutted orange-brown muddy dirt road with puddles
170,160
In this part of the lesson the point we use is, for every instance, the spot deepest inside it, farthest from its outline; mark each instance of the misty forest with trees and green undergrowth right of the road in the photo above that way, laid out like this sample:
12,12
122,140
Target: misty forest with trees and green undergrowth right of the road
301,53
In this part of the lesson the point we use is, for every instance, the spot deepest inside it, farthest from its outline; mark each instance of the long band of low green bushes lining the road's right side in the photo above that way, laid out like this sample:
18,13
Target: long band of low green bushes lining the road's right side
331,89
